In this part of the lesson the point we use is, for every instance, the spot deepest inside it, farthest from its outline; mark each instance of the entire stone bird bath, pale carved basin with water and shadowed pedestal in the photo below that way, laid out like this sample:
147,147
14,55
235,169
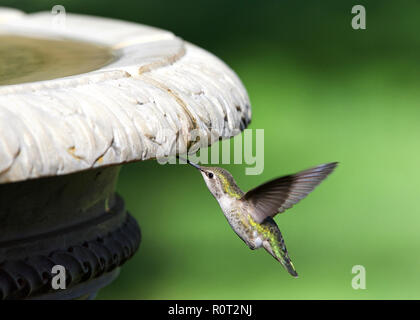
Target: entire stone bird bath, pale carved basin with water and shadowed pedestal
77,100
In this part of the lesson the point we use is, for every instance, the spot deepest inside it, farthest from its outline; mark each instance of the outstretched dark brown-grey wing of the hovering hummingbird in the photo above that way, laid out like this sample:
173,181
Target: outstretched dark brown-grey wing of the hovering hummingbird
282,193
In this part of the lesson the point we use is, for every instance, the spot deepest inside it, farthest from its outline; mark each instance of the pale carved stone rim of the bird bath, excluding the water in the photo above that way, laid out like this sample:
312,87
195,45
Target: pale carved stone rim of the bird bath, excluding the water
161,88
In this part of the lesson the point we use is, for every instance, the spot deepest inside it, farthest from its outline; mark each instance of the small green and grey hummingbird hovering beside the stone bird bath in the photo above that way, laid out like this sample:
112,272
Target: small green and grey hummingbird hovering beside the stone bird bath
251,214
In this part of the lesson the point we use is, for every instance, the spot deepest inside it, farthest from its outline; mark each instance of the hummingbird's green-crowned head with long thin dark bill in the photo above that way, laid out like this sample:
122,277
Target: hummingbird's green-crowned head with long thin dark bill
219,181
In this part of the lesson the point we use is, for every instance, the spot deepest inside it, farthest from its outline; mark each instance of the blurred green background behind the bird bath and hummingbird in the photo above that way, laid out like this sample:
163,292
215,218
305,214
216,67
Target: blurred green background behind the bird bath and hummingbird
322,92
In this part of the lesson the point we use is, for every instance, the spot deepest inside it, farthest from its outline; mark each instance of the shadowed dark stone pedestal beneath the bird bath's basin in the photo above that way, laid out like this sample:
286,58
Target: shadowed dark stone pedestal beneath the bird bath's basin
76,221
